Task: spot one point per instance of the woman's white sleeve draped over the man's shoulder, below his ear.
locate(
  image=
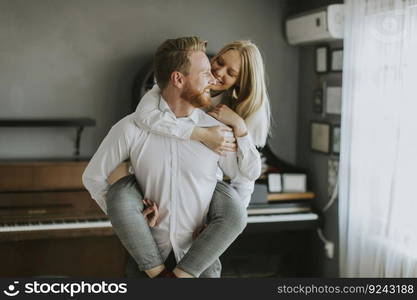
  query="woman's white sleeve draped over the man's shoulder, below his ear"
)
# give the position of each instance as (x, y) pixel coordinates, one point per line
(149, 116)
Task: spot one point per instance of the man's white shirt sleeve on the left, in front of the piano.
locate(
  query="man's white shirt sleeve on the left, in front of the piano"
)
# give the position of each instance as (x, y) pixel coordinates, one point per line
(113, 150)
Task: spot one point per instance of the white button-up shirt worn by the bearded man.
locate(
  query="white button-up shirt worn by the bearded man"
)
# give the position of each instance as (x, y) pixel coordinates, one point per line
(179, 175)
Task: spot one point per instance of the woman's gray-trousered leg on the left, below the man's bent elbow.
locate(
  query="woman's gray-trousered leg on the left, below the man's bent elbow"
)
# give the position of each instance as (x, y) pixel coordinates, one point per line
(124, 209)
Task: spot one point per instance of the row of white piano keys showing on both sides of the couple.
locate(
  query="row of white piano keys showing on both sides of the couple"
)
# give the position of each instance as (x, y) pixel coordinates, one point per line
(104, 223)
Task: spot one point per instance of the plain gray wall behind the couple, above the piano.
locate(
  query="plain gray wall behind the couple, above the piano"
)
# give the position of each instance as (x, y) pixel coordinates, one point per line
(78, 58)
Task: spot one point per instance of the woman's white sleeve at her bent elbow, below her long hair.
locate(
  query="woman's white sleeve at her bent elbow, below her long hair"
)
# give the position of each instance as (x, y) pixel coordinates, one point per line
(248, 157)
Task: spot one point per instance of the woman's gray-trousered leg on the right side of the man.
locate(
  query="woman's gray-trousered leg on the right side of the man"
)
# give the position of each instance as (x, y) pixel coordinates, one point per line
(227, 218)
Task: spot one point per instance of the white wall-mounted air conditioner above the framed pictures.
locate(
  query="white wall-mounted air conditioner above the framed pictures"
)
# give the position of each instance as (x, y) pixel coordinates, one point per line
(324, 24)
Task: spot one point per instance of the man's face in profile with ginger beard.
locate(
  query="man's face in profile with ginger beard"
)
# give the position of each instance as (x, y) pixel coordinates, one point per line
(199, 81)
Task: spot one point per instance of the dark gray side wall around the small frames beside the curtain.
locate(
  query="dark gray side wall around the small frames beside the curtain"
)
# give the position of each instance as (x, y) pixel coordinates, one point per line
(316, 163)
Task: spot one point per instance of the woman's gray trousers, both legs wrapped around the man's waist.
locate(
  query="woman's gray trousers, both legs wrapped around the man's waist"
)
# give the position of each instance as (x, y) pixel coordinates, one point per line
(227, 217)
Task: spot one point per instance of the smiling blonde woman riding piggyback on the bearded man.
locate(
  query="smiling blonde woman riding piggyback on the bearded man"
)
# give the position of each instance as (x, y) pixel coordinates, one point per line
(240, 101)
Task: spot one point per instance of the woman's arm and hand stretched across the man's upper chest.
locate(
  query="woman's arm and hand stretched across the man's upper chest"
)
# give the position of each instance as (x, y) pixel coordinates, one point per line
(149, 116)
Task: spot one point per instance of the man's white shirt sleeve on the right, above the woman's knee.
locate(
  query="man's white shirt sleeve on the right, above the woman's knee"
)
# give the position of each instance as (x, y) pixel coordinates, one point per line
(243, 185)
